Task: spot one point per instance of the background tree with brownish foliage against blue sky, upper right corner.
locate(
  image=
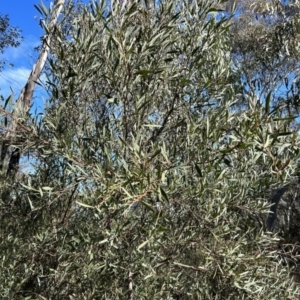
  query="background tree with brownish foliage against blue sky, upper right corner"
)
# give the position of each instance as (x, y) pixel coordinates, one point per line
(265, 48)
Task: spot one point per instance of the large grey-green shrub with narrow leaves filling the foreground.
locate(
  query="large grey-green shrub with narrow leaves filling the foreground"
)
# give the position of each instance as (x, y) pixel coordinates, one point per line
(148, 182)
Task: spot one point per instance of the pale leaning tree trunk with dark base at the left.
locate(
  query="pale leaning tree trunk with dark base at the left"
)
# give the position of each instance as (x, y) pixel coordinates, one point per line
(24, 102)
